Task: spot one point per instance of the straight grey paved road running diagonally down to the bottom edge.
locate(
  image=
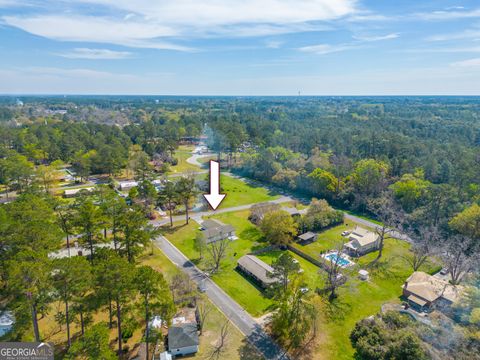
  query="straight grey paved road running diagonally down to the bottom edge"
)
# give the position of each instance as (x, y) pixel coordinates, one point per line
(247, 325)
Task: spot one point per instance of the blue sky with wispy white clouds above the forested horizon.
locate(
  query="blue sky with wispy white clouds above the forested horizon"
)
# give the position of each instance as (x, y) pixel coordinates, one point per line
(240, 47)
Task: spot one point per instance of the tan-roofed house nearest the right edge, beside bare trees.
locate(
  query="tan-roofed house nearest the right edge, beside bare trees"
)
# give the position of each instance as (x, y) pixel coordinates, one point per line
(425, 292)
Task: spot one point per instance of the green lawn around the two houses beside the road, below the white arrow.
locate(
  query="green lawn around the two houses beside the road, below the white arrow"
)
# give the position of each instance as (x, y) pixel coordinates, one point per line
(234, 283)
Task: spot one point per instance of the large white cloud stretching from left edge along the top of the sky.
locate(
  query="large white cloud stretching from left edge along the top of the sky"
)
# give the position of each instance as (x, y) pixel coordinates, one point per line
(159, 24)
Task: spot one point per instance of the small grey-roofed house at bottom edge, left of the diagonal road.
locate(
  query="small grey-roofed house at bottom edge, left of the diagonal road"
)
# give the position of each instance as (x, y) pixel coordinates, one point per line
(183, 339)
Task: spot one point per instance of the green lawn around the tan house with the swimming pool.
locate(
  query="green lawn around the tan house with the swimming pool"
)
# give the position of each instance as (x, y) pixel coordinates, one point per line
(358, 299)
